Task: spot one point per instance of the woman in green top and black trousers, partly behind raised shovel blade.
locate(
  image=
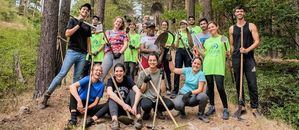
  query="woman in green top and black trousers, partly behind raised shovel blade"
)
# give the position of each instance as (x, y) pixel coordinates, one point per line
(167, 53)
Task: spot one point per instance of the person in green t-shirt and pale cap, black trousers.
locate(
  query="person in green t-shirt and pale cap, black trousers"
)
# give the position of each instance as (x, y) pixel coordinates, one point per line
(183, 55)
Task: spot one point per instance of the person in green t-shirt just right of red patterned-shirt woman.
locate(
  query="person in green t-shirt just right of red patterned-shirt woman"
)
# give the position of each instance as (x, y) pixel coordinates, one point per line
(131, 53)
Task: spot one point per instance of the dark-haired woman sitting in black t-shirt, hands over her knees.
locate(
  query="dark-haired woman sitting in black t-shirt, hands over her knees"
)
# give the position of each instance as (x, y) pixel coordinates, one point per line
(130, 94)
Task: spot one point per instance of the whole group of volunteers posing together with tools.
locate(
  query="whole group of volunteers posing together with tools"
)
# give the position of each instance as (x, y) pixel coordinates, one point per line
(202, 50)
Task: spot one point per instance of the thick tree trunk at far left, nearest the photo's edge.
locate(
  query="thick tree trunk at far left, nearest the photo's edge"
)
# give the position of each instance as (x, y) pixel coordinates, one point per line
(47, 47)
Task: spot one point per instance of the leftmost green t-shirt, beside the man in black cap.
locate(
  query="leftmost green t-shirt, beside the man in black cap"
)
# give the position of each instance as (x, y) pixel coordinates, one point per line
(96, 42)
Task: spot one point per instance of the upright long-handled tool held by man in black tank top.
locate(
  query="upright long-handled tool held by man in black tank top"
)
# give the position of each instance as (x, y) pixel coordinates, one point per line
(239, 110)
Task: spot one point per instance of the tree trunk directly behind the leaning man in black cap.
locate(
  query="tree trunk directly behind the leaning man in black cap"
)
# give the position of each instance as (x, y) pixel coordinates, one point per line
(64, 14)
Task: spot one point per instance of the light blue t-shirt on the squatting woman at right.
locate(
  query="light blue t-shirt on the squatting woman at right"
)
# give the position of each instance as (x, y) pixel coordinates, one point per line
(191, 80)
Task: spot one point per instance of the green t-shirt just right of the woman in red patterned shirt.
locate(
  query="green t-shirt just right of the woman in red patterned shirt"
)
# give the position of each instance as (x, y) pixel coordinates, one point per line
(131, 54)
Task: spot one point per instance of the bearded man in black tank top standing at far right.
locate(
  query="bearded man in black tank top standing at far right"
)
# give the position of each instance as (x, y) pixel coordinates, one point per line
(251, 41)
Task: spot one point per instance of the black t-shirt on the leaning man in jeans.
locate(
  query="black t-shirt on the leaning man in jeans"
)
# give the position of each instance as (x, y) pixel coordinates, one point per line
(78, 41)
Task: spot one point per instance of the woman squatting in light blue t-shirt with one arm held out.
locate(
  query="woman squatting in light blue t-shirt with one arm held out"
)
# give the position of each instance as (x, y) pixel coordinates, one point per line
(191, 94)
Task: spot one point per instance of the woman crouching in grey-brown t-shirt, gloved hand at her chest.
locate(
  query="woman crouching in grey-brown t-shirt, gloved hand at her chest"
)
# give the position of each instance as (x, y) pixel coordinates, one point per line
(149, 97)
